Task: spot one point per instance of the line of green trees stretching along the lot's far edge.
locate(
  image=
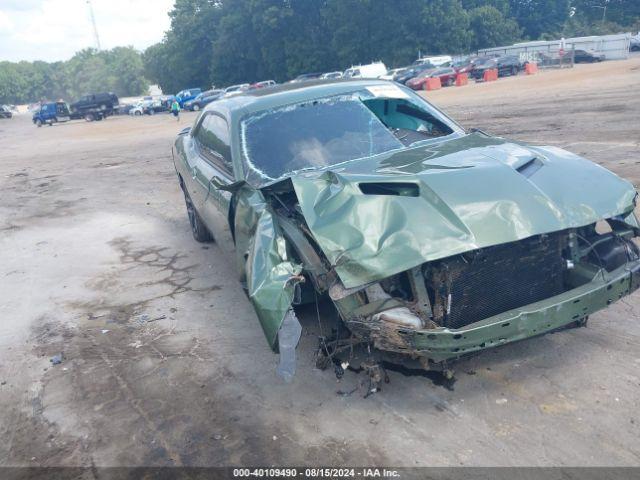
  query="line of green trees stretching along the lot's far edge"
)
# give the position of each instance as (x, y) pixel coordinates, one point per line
(221, 42)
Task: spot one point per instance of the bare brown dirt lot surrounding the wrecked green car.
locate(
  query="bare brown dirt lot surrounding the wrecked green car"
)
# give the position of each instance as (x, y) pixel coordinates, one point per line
(164, 360)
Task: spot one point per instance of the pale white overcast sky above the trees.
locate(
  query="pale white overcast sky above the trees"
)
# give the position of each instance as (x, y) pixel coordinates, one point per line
(52, 30)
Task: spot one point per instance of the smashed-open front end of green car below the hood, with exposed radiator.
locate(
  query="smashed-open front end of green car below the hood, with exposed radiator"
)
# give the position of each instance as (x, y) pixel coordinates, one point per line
(491, 296)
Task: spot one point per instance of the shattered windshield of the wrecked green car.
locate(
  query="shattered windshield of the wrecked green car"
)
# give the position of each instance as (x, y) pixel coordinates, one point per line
(333, 130)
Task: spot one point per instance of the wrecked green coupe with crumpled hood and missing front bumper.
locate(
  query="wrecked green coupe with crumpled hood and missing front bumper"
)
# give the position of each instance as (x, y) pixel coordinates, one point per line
(430, 241)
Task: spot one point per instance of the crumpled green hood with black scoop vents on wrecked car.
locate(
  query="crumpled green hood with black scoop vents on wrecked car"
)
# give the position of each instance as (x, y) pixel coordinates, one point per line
(474, 191)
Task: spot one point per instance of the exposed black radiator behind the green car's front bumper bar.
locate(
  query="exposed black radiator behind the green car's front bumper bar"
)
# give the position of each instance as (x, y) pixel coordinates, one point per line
(476, 285)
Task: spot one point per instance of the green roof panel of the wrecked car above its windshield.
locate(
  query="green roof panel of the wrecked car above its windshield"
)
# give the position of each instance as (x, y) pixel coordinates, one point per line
(285, 94)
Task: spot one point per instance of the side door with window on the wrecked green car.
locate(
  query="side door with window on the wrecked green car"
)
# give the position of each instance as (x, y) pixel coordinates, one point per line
(212, 170)
